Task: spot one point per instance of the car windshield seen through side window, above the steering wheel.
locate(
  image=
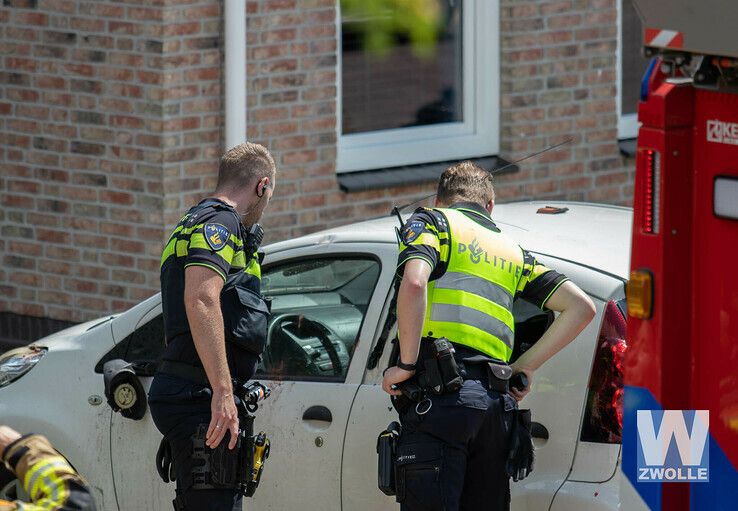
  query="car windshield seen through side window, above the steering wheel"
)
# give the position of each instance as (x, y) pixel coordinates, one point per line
(320, 275)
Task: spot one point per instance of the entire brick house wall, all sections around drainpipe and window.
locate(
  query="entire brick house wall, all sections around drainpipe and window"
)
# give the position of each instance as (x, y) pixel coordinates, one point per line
(111, 125)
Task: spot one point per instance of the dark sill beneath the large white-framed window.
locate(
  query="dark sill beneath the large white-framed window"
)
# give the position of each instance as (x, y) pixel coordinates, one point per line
(405, 175)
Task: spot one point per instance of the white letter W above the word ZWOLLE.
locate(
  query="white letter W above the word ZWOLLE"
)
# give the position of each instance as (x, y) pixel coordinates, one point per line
(655, 446)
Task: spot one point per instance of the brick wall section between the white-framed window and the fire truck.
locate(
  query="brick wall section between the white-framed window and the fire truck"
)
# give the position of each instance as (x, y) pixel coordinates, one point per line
(558, 81)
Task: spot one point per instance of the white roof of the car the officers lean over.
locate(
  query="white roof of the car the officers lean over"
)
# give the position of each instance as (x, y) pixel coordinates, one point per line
(595, 235)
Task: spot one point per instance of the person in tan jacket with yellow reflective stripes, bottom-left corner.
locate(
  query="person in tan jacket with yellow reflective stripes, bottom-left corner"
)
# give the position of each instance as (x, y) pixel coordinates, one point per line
(46, 475)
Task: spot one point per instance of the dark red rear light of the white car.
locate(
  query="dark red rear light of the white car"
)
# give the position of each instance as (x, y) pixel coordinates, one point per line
(603, 416)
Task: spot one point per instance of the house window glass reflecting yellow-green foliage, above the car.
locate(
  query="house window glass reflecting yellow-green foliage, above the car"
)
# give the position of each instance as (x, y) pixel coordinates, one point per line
(401, 63)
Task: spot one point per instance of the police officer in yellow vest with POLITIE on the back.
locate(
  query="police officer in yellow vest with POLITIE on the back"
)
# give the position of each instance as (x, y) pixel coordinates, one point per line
(460, 275)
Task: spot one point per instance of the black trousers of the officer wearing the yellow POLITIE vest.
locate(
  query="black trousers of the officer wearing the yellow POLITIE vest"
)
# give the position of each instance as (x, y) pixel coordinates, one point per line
(453, 457)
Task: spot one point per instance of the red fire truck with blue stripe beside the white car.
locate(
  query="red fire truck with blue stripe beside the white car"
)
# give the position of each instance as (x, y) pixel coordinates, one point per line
(683, 291)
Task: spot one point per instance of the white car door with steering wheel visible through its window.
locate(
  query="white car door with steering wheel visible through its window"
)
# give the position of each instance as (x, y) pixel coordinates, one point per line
(326, 302)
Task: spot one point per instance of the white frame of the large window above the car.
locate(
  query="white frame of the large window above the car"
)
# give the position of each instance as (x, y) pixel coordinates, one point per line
(477, 135)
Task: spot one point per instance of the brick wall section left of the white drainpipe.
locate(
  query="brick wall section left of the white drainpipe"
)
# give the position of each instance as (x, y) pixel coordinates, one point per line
(102, 102)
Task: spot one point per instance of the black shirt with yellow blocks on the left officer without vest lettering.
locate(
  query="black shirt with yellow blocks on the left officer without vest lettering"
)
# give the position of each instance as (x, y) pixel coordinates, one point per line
(210, 238)
